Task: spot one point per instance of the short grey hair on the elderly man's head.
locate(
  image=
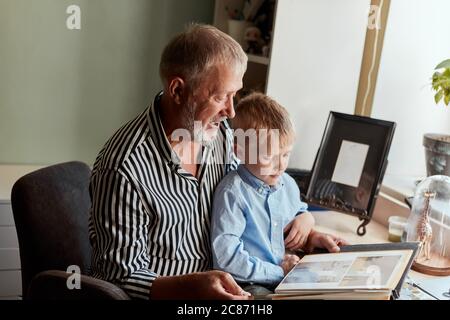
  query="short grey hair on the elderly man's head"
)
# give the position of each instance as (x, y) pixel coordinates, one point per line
(192, 54)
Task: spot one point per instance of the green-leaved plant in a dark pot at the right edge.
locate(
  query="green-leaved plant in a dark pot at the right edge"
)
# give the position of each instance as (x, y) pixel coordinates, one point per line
(437, 146)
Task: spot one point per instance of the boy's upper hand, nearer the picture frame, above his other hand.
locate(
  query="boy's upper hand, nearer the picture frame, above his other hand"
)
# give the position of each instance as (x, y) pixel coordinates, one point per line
(298, 231)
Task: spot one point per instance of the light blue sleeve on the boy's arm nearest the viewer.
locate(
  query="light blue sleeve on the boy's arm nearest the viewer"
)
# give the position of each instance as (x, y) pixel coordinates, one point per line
(229, 254)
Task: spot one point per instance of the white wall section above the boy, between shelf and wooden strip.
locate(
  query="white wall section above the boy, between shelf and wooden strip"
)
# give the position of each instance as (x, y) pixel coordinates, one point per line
(315, 65)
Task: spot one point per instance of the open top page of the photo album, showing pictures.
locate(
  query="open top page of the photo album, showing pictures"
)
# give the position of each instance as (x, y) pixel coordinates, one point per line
(347, 271)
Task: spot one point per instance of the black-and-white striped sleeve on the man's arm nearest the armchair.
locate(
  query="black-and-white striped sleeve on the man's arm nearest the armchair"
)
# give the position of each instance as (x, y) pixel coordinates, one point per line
(119, 234)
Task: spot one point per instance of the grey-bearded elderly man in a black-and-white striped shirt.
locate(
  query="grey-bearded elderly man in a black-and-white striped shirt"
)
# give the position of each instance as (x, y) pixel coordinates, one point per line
(152, 186)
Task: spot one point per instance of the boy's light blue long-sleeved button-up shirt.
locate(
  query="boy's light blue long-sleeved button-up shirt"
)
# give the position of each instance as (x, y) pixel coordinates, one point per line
(247, 225)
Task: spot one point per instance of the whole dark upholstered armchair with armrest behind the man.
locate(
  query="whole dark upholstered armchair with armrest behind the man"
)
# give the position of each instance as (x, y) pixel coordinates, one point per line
(51, 211)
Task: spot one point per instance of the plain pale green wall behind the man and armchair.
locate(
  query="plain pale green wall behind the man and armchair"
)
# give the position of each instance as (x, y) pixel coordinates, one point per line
(64, 92)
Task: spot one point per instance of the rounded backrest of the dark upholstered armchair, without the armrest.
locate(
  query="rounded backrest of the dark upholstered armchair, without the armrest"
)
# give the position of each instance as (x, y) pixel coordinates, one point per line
(51, 211)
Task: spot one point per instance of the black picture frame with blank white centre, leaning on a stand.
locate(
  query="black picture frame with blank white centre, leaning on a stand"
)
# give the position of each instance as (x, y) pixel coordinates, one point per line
(374, 137)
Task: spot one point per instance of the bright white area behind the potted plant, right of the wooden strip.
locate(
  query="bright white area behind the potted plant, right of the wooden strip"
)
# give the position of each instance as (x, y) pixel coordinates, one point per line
(417, 39)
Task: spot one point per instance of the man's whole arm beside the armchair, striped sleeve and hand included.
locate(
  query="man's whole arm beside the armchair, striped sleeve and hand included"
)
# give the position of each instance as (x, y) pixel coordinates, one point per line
(121, 223)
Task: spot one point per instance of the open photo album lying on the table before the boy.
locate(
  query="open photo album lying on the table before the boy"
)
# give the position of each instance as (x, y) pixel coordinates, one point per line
(357, 272)
